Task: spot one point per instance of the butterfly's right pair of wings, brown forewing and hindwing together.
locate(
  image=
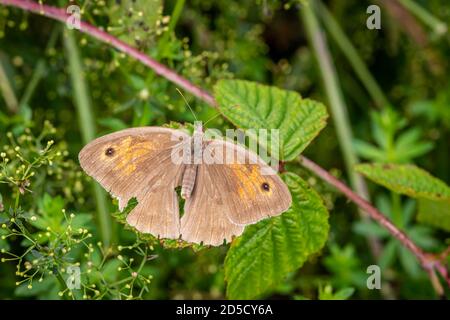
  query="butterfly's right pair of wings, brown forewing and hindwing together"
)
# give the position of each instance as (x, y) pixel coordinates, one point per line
(230, 194)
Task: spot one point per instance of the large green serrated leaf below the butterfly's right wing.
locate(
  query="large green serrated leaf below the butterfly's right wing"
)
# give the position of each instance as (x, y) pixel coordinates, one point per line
(272, 248)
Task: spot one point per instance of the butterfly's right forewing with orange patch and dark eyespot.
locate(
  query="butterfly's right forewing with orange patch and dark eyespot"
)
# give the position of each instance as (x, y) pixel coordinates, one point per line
(252, 189)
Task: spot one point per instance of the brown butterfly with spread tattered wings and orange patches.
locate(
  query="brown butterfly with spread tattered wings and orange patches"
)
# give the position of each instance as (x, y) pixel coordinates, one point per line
(221, 198)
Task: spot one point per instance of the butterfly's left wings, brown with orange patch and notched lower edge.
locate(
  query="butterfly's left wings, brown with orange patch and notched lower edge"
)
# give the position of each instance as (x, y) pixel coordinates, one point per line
(137, 163)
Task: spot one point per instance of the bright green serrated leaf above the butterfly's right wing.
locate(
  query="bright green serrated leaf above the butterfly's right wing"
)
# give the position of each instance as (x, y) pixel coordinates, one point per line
(250, 105)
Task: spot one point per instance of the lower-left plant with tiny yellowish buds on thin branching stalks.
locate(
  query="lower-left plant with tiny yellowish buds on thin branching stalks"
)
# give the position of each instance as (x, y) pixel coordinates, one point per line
(52, 241)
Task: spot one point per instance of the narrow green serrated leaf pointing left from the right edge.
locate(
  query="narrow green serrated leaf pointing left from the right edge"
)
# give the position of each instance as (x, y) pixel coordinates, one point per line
(406, 179)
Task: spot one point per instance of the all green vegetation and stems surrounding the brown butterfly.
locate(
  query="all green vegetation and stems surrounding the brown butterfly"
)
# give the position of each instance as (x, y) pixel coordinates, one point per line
(371, 107)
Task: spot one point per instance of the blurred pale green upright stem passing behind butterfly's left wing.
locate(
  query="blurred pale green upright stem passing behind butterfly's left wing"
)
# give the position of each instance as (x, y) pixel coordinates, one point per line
(87, 124)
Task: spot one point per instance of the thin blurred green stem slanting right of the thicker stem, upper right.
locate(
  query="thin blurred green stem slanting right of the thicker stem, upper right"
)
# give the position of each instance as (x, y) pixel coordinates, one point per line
(352, 56)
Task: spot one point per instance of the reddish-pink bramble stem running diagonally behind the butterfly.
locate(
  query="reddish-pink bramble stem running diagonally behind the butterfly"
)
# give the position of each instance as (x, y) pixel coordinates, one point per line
(431, 263)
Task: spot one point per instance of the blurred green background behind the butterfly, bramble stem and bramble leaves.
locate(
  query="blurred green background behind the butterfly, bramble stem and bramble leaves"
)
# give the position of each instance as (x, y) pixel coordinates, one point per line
(62, 86)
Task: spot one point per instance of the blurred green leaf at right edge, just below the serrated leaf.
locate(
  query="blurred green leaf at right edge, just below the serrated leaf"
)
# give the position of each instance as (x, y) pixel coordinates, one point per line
(435, 213)
